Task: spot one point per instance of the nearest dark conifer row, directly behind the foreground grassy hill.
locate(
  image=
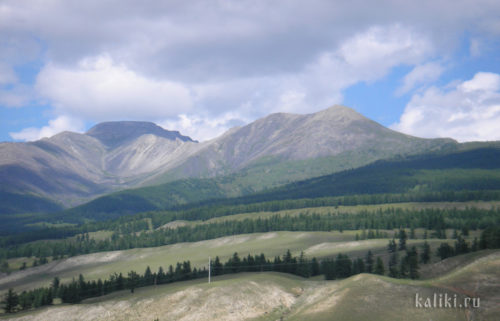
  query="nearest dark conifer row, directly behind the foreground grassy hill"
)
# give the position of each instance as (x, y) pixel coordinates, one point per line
(338, 267)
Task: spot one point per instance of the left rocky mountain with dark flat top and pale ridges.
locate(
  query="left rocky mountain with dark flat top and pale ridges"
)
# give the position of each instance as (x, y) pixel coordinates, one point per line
(72, 167)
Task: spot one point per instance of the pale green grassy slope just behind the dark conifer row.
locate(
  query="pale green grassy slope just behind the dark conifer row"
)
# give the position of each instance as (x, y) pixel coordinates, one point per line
(101, 265)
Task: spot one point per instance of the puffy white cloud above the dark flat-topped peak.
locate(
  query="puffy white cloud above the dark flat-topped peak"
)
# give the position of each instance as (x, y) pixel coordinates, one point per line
(98, 89)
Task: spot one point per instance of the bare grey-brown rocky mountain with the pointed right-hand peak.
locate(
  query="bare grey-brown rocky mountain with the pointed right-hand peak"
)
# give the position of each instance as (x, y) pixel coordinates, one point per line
(283, 137)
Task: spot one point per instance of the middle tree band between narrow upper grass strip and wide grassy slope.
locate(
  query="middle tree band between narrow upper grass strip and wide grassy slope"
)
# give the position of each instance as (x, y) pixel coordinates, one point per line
(388, 219)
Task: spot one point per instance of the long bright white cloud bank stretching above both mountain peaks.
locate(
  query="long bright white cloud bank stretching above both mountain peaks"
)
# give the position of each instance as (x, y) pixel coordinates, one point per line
(100, 89)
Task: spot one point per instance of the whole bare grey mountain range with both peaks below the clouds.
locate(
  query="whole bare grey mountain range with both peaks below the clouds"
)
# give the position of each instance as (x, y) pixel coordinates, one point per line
(71, 168)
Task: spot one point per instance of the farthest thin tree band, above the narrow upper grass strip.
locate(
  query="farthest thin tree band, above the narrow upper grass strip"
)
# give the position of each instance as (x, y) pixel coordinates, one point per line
(223, 207)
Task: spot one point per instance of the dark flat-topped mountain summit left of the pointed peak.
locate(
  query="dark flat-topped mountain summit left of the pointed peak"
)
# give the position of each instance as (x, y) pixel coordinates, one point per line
(115, 133)
